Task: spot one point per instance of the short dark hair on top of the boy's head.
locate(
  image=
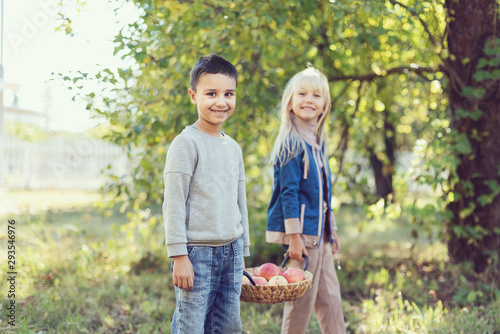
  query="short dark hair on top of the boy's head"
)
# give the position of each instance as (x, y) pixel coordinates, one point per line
(212, 64)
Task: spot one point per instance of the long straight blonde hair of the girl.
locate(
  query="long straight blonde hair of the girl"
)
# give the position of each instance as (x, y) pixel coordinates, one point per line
(289, 143)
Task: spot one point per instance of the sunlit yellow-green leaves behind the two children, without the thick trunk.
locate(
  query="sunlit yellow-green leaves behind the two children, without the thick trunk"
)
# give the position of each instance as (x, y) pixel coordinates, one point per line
(367, 52)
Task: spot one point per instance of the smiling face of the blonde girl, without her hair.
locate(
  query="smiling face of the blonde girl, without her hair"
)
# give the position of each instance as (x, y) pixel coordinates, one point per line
(307, 104)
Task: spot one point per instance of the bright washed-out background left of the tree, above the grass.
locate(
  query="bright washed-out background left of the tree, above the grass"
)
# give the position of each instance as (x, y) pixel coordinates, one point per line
(48, 138)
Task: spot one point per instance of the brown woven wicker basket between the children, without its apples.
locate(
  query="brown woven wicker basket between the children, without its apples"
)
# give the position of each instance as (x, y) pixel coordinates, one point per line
(272, 294)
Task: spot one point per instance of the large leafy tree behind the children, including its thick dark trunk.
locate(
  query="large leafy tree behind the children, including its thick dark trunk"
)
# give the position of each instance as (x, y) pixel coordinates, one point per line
(387, 61)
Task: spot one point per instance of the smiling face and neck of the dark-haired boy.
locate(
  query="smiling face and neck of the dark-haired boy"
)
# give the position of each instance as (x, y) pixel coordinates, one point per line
(215, 97)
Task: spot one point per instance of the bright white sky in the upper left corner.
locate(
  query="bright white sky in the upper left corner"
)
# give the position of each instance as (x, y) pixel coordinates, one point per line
(33, 50)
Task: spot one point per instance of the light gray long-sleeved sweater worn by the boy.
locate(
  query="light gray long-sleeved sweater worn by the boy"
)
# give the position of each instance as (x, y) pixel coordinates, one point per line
(204, 200)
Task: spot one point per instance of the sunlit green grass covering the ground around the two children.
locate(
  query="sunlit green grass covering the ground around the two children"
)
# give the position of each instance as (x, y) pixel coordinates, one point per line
(83, 272)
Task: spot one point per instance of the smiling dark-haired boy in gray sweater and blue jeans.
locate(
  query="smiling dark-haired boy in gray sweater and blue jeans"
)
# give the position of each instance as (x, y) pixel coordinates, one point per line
(204, 208)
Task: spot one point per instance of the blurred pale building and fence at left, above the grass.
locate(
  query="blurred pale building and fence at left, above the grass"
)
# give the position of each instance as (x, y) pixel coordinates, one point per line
(57, 161)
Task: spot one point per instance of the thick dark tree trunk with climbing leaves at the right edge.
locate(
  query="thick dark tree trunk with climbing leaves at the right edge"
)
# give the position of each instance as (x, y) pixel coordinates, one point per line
(471, 231)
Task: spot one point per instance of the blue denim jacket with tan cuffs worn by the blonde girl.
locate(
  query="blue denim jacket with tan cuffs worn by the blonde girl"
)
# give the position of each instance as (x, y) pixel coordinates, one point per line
(298, 204)
